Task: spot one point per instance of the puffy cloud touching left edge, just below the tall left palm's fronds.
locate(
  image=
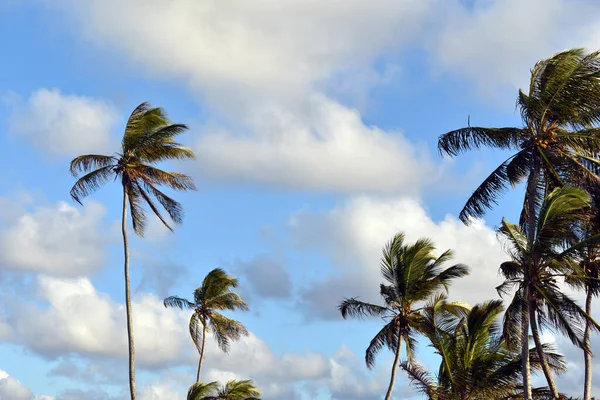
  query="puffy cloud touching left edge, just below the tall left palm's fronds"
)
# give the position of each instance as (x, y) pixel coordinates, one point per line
(56, 239)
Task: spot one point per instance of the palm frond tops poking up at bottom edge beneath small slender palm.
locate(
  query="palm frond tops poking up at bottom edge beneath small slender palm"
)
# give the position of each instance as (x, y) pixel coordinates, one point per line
(233, 390)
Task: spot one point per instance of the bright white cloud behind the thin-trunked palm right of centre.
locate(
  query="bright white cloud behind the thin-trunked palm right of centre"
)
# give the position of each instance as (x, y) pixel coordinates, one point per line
(353, 234)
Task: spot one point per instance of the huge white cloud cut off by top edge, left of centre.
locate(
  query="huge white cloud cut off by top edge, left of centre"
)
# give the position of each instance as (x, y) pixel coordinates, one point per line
(266, 45)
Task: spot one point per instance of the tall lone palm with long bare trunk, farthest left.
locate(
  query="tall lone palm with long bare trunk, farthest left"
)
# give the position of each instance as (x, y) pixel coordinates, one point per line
(147, 140)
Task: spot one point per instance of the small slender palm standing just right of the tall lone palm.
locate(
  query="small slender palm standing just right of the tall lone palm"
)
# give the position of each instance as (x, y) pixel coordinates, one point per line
(214, 295)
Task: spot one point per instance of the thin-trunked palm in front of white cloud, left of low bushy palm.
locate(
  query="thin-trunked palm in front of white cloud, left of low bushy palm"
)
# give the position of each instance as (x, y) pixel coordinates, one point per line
(412, 273)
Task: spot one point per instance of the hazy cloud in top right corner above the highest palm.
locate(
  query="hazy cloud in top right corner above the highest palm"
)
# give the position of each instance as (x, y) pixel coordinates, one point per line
(494, 43)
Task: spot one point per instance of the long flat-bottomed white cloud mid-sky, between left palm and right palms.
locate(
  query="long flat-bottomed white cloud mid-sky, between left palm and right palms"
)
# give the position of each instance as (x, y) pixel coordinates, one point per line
(329, 147)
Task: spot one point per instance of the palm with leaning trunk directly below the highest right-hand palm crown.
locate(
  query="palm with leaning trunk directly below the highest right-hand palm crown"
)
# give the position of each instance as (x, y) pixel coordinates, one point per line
(537, 267)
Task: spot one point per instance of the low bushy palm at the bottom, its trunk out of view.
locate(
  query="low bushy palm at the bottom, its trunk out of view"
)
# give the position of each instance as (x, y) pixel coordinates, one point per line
(476, 362)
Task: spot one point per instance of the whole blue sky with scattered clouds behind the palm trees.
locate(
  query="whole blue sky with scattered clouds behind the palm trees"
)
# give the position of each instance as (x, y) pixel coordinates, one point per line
(315, 126)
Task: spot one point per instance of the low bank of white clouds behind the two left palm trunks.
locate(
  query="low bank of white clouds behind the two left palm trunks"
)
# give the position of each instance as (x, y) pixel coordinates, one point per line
(161, 341)
